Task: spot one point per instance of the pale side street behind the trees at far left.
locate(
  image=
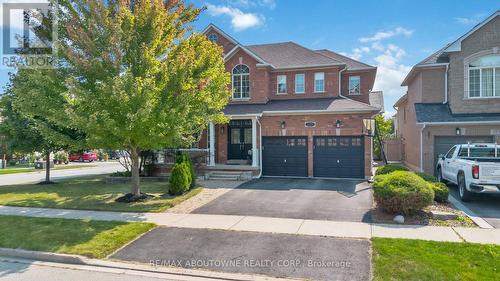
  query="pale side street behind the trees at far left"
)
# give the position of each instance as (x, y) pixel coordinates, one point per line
(34, 177)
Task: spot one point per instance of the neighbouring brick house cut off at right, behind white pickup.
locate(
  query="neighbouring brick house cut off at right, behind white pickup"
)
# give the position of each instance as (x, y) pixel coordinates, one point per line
(453, 97)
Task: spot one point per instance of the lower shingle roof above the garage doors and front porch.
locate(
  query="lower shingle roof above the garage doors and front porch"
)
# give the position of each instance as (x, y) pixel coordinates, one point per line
(316, 104)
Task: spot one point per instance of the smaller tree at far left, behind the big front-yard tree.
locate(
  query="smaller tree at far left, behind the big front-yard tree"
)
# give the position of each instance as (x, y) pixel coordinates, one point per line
(24, 125)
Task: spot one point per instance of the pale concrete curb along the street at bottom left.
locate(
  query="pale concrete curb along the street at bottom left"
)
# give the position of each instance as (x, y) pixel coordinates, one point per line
(138, 268)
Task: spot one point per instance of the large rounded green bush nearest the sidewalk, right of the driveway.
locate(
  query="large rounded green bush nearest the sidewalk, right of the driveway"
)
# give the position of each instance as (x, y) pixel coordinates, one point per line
(402, 192)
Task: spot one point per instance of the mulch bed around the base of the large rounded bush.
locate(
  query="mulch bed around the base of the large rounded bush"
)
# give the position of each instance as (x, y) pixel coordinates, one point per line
(425, 217)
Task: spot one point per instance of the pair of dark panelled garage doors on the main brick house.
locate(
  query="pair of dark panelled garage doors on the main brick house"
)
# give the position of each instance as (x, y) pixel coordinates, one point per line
(333, 156)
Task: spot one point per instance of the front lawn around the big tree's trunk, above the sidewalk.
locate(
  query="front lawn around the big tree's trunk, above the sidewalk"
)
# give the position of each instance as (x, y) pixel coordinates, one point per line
(89, 193)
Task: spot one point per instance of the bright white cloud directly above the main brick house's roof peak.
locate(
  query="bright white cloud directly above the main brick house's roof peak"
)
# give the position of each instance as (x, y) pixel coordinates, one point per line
(239, 20)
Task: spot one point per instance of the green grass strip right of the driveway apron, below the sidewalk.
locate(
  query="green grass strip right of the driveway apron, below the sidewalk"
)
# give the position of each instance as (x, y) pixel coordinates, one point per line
(400, 259)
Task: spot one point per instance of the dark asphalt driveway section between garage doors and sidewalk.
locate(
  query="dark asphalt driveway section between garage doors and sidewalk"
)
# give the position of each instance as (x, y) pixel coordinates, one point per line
(319, 199)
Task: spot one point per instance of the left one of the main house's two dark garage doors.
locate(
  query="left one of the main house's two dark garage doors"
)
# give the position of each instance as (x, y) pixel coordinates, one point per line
(284, 156)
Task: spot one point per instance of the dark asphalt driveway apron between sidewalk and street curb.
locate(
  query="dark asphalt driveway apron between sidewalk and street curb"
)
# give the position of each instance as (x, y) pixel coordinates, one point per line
(280, 255)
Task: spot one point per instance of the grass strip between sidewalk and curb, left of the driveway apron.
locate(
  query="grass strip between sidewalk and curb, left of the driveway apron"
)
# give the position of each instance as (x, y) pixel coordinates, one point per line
(95, 239)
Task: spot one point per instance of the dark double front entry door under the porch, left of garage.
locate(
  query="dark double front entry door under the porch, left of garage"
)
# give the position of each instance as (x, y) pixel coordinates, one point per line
(240, 139)
